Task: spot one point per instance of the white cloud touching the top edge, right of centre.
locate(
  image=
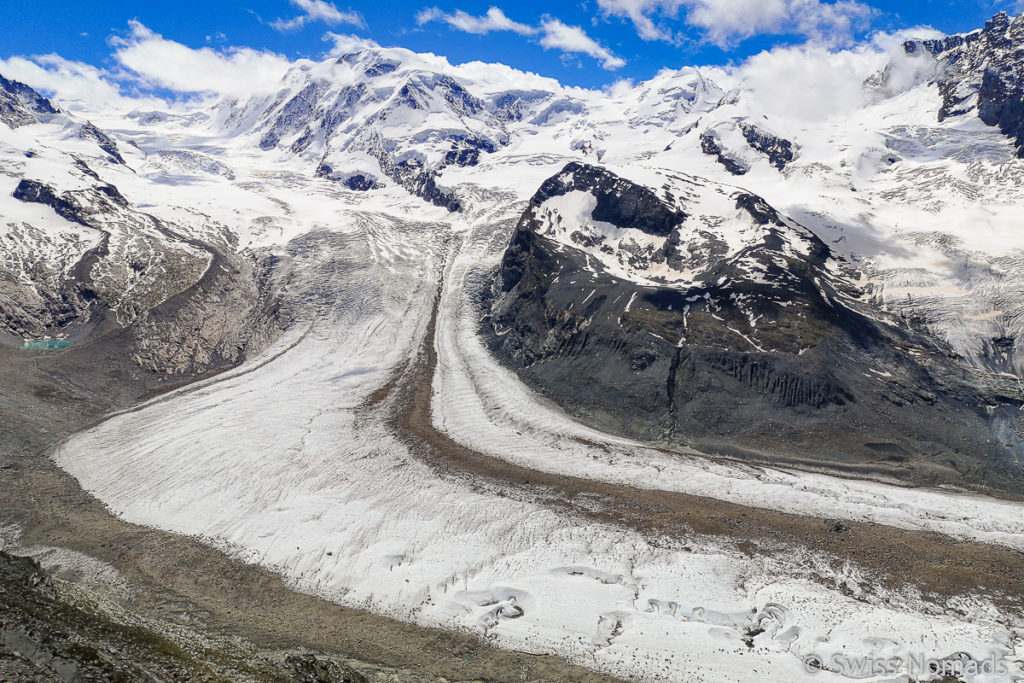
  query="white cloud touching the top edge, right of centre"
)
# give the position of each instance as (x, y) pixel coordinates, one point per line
(727, 23)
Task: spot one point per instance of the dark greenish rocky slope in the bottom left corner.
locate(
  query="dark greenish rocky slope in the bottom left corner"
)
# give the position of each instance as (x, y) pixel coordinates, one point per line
(53, 632)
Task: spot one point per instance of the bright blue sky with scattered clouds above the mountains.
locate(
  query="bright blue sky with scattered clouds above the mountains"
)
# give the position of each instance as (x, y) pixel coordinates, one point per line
(590, 44)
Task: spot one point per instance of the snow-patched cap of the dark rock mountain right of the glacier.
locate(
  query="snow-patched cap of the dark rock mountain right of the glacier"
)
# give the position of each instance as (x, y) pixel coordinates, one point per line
(660, 228)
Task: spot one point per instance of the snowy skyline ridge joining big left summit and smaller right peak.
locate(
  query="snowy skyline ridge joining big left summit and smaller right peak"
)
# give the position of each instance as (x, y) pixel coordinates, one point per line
(381, 116)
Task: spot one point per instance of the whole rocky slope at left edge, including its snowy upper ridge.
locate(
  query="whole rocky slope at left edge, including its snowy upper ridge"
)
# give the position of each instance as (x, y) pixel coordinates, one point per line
(104, 274)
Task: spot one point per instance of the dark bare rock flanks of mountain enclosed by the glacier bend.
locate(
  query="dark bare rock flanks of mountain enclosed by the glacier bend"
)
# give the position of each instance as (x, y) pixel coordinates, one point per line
(786, 365)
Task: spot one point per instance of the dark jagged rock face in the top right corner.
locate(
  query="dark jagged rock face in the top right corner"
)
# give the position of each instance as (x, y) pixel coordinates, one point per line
(980, 72)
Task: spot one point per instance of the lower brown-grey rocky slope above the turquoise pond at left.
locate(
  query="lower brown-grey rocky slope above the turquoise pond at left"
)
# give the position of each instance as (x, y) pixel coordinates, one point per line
(176, 306)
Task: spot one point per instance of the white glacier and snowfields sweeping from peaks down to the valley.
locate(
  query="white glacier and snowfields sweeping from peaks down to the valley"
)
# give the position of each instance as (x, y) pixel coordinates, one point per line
(385, 187)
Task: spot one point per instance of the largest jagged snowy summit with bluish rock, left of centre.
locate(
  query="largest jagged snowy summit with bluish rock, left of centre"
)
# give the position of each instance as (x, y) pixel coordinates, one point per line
(378, 116)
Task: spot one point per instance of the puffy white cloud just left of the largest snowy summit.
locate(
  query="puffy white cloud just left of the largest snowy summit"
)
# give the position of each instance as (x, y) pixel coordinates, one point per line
(159, 63)
